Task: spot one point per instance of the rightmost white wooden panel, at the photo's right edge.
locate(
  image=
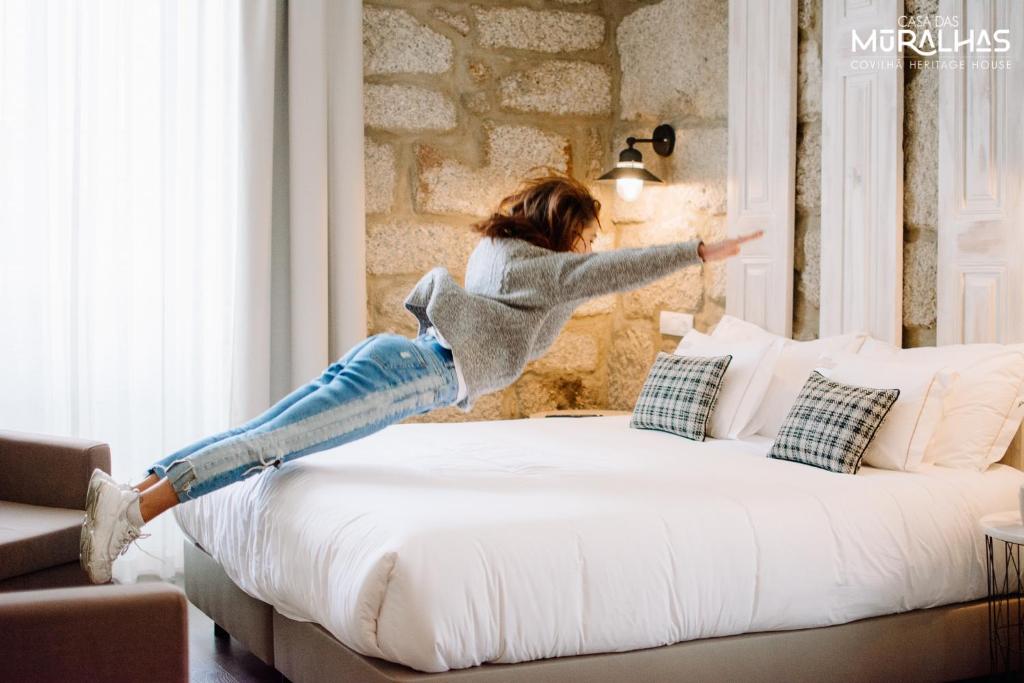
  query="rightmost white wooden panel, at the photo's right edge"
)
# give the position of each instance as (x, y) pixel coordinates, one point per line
(982, 166)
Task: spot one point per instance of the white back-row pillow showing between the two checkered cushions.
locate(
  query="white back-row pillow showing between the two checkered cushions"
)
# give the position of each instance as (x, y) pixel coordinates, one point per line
(794, 366)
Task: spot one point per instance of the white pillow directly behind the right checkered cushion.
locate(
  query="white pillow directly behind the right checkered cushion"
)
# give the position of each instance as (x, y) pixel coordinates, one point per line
(902, 440)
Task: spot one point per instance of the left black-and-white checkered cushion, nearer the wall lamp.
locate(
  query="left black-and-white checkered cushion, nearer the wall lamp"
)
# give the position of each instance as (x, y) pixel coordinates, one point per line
(679, 395)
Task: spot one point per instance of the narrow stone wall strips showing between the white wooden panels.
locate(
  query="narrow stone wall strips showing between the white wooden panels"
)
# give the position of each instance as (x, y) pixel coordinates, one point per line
(920, 184)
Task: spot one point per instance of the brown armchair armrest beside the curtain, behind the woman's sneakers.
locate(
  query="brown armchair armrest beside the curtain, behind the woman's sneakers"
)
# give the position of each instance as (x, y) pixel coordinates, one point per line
(40, 469)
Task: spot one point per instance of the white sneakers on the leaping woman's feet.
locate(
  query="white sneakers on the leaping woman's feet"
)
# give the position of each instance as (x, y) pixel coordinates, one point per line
(107, 530)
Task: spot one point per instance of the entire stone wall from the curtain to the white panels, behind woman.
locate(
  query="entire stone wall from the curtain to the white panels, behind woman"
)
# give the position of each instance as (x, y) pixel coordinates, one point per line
(463, 99)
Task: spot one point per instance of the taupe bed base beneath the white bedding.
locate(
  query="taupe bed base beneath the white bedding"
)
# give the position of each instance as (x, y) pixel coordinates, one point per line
(940, 645)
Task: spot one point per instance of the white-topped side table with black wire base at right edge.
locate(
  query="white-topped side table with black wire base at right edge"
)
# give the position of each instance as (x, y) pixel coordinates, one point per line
(1004, 538)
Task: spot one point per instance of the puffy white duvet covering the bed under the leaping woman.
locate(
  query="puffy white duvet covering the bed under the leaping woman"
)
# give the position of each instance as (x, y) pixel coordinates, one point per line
(444, 546)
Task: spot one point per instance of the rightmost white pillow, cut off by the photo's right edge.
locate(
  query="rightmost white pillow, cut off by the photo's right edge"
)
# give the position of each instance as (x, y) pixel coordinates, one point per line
(984, 407)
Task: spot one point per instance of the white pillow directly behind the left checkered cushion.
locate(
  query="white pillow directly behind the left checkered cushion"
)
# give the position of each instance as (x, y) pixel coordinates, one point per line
(745, 383)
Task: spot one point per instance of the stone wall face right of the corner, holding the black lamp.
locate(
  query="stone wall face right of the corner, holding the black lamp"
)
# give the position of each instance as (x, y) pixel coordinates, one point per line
(675, 67)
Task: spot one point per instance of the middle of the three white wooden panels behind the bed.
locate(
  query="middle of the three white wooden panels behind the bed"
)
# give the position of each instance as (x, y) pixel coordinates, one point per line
(862, 176)
